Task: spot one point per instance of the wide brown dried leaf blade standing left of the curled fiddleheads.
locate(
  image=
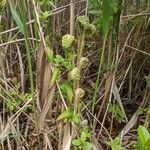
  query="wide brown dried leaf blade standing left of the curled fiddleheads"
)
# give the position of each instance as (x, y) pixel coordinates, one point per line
(43, 81)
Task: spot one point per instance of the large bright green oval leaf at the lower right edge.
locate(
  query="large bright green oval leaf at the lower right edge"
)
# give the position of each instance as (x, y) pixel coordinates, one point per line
(143, 133)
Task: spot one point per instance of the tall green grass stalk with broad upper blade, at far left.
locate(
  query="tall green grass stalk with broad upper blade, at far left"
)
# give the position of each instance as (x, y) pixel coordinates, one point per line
(20, 19)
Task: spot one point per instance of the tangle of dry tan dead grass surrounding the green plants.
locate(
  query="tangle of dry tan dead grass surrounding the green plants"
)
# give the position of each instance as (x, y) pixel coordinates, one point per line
(32, 123)
